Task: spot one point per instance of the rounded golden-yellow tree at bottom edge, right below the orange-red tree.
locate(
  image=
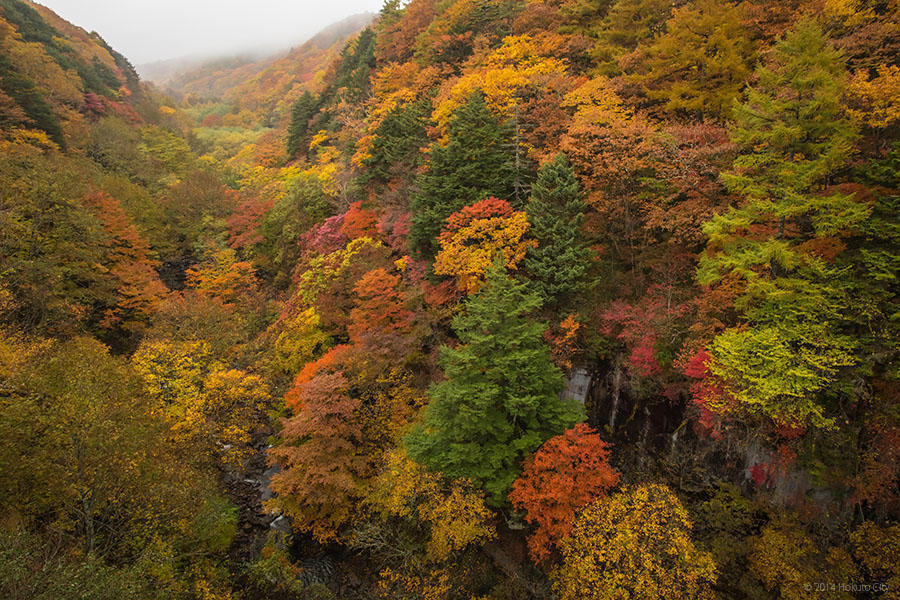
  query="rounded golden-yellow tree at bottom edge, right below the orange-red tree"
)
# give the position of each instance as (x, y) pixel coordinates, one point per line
(635, 544)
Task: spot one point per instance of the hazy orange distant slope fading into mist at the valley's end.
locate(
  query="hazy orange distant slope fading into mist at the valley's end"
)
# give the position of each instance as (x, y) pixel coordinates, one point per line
(266, 86)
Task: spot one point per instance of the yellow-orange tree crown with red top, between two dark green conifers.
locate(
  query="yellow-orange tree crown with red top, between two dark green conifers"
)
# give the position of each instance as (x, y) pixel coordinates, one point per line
(476, 236)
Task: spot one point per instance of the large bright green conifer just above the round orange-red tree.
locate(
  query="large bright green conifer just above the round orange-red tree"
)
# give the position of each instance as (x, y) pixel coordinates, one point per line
(500, 400)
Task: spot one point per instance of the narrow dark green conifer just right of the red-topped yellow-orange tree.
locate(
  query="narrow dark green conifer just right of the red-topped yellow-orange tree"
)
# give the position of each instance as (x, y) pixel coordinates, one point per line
(558, 266)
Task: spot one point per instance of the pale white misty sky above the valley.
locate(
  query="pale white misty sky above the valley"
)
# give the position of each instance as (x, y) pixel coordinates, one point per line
(150, 30)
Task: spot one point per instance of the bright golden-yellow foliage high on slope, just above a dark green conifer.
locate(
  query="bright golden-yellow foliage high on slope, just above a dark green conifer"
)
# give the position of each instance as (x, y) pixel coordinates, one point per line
(519, 63)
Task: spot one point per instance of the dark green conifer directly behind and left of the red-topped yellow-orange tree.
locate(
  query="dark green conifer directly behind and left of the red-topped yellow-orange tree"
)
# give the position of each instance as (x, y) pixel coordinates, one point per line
(476, 163)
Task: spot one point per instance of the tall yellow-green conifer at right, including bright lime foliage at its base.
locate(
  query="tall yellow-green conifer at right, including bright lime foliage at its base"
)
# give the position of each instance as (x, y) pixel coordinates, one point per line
(790, 349)
